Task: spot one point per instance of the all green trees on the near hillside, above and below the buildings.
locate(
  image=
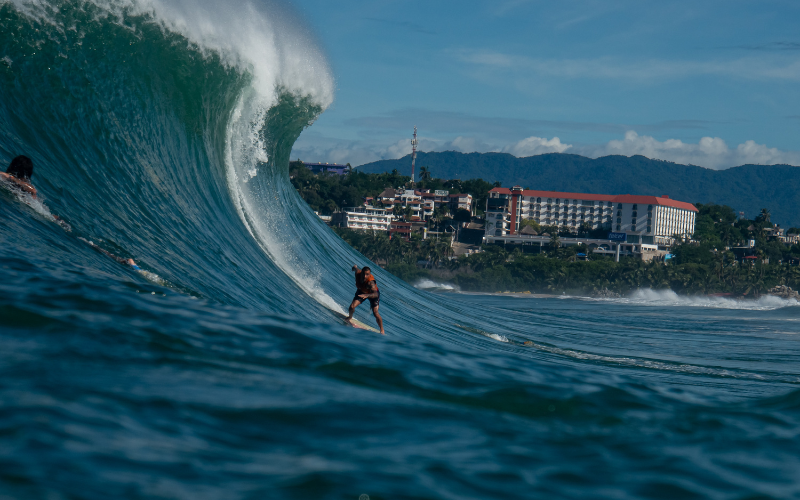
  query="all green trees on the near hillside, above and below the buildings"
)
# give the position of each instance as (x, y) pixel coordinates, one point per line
(702, 265)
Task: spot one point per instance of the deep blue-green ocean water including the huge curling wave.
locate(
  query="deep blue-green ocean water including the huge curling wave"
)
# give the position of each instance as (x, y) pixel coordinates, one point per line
(161, 131)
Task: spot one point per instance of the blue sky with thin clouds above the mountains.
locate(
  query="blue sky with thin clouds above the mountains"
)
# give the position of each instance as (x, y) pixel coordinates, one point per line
(711, 83)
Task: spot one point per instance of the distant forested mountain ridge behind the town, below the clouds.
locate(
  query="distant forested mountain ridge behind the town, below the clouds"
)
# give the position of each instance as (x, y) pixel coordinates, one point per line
(748, 188)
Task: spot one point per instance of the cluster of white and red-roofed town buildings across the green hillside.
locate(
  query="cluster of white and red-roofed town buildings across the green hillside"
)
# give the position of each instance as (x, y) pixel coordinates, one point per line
(644, 227)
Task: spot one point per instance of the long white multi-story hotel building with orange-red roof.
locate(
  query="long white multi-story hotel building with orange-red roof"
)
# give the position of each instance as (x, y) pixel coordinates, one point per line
(648, 220)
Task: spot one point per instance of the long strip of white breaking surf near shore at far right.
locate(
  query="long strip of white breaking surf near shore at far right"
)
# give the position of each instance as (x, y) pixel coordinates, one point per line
(669, 298)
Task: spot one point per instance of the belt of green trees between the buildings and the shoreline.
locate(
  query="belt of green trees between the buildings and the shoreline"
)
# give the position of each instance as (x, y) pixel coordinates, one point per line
(699, 267)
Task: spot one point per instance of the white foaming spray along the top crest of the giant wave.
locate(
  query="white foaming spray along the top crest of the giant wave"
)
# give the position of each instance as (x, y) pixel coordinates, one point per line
(266, 40)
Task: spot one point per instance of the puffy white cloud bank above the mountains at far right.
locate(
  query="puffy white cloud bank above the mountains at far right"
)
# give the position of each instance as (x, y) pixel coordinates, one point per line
(710, 152)
